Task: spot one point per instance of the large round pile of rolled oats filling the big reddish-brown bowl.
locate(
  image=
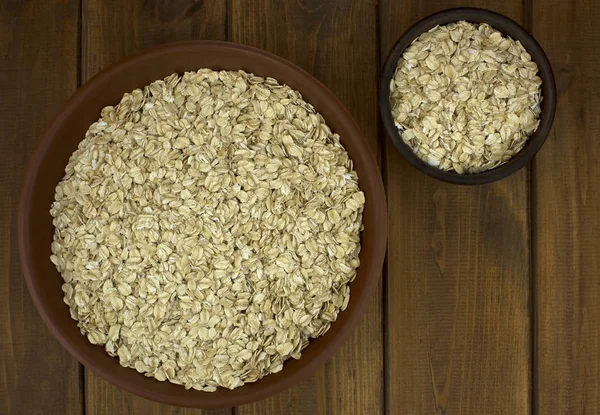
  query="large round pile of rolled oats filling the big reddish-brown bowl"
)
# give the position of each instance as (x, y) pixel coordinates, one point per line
(207, 228)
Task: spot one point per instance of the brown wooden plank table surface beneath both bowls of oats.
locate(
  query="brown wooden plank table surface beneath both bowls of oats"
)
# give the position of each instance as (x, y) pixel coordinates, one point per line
(489, 301)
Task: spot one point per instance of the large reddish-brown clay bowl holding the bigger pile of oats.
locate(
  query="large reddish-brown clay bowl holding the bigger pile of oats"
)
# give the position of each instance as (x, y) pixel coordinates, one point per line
(61, 139)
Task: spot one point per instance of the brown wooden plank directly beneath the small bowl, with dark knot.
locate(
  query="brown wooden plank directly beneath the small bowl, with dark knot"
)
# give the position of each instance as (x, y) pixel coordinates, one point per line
(458, 325)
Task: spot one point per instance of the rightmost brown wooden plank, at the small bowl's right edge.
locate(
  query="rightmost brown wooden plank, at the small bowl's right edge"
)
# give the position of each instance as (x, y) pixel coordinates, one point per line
(566, 200)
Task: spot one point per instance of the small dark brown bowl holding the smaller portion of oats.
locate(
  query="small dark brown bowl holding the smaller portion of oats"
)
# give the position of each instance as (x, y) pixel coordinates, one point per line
(506, 26)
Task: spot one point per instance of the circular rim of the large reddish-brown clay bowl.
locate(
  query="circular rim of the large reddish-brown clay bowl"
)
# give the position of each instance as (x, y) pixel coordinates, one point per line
(202, 399)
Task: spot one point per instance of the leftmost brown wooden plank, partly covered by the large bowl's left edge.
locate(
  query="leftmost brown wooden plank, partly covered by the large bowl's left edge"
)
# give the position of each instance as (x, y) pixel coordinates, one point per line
(38, 63)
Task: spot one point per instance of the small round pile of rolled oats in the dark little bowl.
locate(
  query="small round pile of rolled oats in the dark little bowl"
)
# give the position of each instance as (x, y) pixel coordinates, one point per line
(465, 97)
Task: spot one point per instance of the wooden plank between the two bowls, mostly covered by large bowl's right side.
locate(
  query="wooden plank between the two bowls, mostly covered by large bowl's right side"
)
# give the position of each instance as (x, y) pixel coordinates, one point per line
(336, 42)
